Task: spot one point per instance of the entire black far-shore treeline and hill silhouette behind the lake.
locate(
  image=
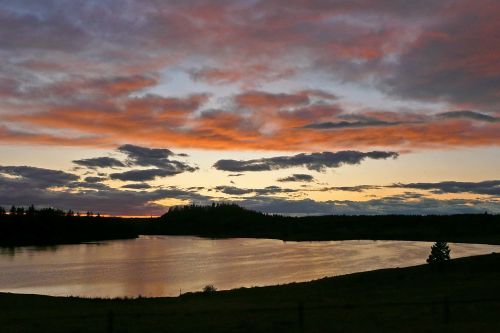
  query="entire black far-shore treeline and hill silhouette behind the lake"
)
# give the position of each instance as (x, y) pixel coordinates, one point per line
(48, 227)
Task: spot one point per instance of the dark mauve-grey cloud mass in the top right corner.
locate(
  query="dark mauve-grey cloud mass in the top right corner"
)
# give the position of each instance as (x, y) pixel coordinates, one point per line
(429, 69)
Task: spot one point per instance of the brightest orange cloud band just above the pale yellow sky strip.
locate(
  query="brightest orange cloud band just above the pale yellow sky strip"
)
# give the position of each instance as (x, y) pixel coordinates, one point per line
(149, 121)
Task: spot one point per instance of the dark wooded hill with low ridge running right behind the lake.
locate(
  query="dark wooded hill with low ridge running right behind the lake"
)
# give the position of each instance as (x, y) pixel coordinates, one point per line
(230, 220)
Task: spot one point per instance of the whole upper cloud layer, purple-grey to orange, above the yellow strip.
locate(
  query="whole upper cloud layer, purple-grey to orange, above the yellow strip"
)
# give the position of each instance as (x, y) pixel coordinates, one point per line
(87, 86)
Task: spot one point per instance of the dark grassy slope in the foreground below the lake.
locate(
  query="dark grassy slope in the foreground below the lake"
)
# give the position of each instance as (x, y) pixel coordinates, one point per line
(402, 300)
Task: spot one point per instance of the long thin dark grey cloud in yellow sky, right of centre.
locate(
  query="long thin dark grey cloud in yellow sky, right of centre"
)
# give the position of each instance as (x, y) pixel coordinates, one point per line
(313, 161)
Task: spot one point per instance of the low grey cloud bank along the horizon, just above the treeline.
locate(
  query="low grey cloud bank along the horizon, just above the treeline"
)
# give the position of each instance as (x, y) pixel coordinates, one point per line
(101, 198)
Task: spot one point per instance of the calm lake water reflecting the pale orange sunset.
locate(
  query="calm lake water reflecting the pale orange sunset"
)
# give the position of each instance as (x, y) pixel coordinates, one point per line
(166, 265)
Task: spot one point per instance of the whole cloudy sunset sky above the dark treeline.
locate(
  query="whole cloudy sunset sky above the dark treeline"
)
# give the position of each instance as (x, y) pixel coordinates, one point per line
(295, 107)
